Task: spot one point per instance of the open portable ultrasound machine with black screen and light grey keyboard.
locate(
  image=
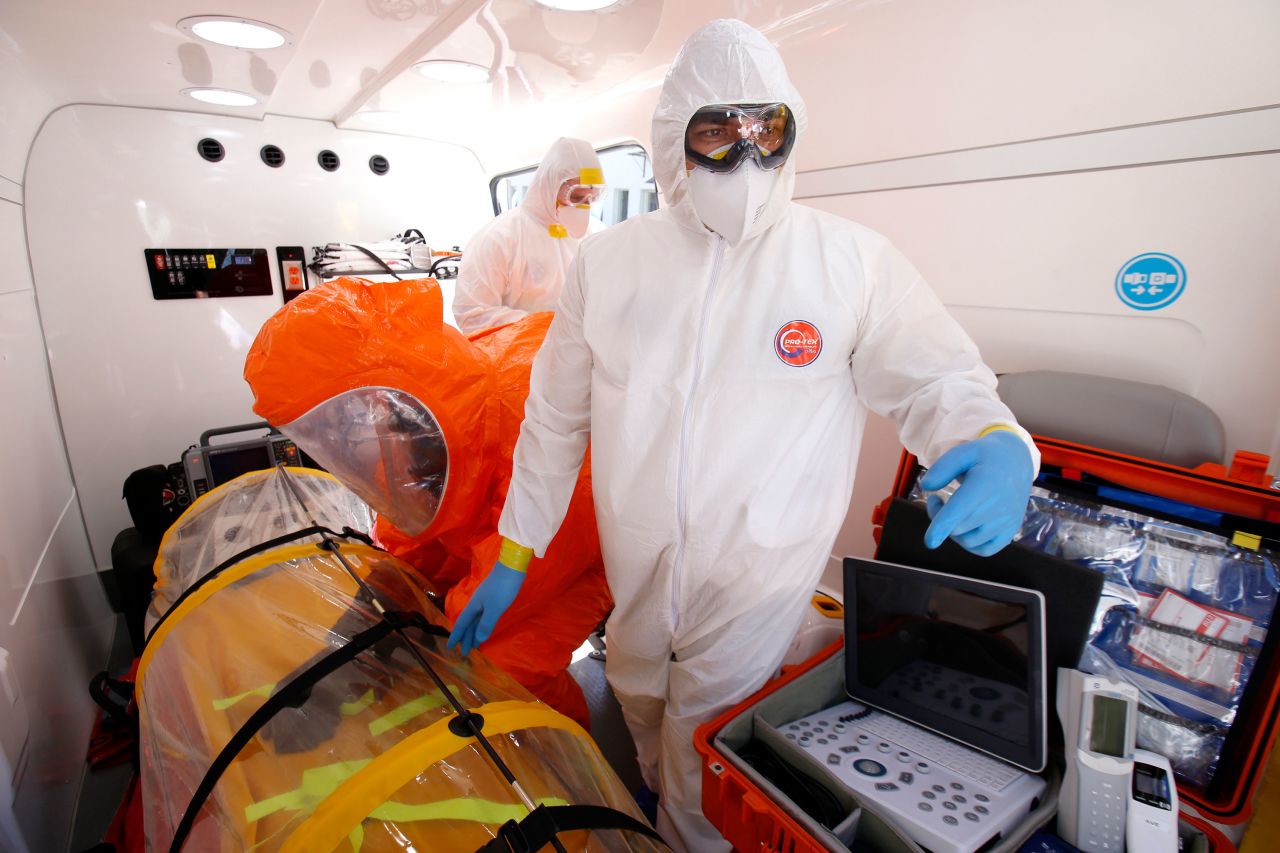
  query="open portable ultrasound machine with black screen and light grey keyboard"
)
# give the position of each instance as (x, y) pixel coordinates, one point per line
(947, 728)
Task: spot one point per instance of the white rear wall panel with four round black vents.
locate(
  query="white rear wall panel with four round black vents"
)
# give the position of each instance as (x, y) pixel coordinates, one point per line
(139, 380)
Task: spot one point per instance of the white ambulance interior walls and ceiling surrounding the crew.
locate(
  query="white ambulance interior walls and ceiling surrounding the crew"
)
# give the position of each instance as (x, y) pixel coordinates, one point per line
(1023, 156)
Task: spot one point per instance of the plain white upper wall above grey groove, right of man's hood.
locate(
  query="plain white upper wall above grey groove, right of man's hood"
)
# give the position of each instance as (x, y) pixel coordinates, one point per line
(911, 77)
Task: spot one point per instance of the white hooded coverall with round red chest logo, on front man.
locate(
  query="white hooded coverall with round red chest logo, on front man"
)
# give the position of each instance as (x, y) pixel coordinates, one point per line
(723, 473)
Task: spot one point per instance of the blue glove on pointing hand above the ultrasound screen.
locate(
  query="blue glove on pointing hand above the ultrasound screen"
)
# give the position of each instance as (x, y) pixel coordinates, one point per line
(996, 476)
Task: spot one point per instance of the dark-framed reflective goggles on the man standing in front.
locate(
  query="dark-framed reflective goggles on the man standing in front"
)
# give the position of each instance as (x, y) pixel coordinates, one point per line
(723, 136)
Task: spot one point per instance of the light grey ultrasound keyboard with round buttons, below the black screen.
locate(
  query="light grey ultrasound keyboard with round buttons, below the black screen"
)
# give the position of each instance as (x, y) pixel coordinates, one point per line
(948, 797)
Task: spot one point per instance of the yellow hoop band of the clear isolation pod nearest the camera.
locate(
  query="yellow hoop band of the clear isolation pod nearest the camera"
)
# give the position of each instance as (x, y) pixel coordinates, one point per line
(362, 795)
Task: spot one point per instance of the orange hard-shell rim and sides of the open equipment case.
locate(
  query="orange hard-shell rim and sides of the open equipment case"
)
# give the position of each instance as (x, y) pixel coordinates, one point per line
(752, 822)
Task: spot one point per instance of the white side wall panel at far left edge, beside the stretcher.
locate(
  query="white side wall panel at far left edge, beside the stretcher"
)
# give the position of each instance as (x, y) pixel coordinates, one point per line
(54, 621)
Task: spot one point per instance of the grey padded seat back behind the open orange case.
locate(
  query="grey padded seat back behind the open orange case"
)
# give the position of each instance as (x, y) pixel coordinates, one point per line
(1132, 418)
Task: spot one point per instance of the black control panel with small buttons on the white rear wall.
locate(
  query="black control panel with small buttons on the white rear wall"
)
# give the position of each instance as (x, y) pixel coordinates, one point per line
(208, 273)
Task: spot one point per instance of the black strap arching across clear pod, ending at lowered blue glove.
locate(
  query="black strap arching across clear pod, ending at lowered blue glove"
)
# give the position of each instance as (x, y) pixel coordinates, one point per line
(292, 696)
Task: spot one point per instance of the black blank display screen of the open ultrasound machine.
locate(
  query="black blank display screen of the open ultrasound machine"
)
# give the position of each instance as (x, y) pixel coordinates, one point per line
(958, 656)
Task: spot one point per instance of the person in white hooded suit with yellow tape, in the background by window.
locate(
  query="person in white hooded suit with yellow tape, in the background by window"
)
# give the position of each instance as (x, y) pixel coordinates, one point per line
(516, 263)
